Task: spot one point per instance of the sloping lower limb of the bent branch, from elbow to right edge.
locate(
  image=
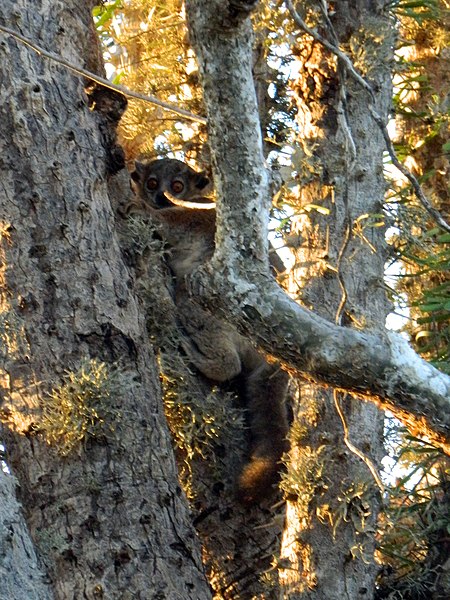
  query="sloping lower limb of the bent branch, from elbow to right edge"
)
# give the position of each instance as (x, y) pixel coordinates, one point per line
(377, 366)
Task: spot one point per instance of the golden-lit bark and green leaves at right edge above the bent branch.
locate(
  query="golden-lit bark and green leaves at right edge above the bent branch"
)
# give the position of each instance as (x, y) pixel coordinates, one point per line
(423, 121)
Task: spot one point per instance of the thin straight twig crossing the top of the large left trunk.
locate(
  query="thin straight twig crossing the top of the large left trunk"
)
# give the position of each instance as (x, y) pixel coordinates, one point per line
(112, 86)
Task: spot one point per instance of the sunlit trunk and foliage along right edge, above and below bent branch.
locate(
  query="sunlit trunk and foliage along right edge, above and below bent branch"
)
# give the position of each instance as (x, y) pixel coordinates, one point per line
(414, 526)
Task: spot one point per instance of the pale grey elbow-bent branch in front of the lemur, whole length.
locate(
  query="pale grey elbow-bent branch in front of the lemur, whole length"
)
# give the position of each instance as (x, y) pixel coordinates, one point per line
(370, 364)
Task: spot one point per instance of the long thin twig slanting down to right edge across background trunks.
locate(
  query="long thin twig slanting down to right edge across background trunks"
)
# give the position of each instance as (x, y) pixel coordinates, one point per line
(435, 214)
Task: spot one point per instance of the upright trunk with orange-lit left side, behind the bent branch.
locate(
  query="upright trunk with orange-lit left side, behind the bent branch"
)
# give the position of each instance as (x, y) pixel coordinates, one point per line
(333, 556)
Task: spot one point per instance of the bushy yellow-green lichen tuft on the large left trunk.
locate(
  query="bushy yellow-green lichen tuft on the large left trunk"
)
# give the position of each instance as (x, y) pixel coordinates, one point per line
(83, 406)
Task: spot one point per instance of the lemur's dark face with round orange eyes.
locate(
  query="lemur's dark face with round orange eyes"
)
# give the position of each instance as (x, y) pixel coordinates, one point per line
(161, 182)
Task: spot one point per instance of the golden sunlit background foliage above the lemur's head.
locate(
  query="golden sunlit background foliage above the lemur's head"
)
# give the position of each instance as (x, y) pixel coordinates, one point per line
(147, 45)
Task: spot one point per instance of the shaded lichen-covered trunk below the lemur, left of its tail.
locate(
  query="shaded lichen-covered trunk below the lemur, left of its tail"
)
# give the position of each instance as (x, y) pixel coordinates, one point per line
(208, 426)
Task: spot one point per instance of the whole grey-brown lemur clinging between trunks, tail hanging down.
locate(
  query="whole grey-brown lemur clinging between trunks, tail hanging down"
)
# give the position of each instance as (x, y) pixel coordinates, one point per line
(217, 350)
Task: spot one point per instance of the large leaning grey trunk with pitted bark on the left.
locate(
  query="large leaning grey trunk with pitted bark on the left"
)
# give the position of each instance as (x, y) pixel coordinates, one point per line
(109, 518)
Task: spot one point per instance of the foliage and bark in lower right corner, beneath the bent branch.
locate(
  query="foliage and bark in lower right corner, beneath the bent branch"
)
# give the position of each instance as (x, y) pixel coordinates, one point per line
(416, 525)
